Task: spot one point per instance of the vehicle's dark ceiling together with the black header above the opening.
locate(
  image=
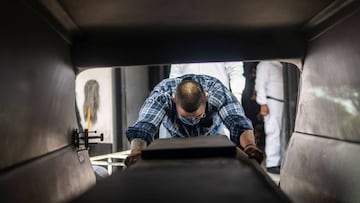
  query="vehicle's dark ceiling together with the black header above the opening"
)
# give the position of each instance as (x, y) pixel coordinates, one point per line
(118, 29)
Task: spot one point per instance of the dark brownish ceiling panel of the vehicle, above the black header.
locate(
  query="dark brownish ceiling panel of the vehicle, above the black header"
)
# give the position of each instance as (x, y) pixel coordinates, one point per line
(94, 14)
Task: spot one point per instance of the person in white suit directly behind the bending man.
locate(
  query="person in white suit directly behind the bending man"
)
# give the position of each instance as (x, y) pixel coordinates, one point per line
(229, 73)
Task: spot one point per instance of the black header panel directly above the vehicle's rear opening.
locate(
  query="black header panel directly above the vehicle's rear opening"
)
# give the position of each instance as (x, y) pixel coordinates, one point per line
(168, 46)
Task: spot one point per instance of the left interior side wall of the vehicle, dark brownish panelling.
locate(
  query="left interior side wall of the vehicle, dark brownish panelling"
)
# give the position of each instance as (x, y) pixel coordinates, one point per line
(38, 163)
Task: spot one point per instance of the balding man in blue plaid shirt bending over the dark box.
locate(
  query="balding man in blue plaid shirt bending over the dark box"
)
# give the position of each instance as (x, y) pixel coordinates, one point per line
(192, 105)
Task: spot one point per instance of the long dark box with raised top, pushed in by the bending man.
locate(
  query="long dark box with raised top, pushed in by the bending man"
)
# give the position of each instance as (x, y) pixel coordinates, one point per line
(206, 179)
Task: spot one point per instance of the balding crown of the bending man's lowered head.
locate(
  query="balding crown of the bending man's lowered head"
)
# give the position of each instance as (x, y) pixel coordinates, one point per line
(189, 95)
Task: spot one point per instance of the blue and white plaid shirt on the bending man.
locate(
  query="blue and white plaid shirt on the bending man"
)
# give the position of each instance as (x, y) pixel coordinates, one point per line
(222, 106)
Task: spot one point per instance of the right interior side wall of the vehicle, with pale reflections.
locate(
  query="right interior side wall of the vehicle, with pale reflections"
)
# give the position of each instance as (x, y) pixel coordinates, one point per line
(322, 161)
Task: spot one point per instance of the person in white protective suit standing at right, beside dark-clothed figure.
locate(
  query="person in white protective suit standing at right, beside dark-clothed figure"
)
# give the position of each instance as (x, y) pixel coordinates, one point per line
(270, 96)
